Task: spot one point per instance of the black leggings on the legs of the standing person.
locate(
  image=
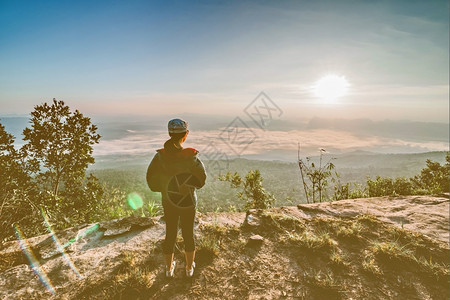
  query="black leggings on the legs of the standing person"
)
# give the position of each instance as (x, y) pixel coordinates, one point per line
(186, 217)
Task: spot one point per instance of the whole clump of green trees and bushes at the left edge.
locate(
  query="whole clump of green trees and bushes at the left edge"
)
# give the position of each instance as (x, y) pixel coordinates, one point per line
(49, 172)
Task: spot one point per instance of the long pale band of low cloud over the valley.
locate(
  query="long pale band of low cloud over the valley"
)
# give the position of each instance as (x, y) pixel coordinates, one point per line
(334, 141)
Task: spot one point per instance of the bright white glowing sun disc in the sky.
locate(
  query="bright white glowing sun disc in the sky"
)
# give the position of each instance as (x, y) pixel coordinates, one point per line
(330, 88)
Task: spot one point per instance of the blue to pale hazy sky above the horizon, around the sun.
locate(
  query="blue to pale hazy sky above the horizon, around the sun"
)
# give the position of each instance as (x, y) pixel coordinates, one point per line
(215, 57)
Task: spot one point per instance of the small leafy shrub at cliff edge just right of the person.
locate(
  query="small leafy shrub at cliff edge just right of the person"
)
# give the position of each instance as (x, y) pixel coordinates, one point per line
(253, 193)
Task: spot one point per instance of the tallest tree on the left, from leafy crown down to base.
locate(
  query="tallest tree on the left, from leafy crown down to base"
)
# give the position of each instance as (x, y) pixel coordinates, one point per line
(58, 151)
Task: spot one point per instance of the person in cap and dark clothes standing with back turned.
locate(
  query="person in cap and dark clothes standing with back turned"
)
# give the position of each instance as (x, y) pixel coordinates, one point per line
(177, 172)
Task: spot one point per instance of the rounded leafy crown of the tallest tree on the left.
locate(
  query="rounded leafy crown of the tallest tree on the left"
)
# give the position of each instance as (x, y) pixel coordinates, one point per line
(59, 144)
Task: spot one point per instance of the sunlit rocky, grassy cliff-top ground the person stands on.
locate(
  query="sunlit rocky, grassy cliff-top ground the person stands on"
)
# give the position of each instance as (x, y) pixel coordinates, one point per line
(375, 248)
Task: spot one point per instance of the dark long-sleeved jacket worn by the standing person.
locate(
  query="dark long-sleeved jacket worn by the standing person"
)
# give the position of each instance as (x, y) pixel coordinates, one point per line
(165, 165)
